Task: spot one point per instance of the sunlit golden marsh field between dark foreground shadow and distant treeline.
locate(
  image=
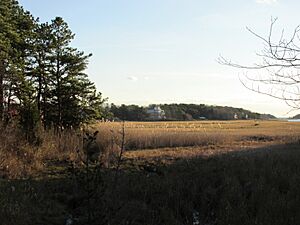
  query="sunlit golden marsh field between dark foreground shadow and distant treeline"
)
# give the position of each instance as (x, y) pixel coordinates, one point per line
(166, 141)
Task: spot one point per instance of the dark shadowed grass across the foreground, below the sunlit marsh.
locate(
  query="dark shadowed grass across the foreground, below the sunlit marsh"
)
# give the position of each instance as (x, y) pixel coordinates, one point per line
(249, 187)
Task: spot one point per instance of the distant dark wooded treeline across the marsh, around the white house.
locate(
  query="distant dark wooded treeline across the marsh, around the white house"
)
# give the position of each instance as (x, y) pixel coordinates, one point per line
(185, 112)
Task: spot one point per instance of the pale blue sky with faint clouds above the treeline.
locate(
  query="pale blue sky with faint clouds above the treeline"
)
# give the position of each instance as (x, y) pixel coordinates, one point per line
(166, 51)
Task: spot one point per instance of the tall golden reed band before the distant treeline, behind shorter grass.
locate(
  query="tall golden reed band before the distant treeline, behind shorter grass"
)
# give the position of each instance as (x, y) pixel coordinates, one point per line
(154, 135)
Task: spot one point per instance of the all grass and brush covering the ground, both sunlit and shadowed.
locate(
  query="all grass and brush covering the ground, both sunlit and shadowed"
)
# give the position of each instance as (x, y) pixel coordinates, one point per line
(234, 172)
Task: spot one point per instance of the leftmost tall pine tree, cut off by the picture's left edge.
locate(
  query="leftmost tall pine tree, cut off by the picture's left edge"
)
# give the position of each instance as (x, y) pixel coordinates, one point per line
(16, 26)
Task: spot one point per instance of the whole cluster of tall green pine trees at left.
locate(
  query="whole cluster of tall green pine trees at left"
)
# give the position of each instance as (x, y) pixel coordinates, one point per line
(42, 77)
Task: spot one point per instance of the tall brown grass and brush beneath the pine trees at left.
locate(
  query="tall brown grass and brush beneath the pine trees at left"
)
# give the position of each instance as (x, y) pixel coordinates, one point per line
(19, 158)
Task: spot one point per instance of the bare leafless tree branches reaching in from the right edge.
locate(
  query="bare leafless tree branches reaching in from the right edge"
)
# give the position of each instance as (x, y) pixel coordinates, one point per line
(277, 74)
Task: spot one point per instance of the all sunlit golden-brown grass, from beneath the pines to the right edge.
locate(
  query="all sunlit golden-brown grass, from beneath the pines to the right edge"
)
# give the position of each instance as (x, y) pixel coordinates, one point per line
(144, 142)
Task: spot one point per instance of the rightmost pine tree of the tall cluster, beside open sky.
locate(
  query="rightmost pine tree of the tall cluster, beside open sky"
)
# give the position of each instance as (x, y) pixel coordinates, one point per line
(73, 96)
